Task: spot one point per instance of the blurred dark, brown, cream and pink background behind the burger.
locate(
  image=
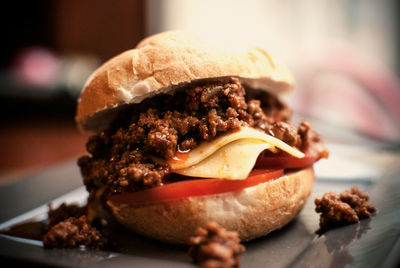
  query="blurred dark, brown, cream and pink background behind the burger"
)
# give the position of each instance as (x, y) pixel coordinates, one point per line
(344, 55)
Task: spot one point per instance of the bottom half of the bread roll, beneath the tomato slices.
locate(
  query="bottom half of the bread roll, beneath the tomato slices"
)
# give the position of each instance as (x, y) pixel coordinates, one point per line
(252, 212)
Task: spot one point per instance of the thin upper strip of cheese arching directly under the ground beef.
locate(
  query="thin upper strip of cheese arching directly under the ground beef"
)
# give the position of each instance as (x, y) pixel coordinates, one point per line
(206, 149)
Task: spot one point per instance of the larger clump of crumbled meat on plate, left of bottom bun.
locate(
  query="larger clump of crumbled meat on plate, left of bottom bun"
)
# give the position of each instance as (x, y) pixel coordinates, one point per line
(73, 232)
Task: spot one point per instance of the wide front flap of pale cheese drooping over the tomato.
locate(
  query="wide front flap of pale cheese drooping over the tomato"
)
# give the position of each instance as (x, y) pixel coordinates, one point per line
(233, 161)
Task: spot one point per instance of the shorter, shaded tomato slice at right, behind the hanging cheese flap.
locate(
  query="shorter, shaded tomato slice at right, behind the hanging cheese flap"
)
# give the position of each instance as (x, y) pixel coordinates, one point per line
(279, 162)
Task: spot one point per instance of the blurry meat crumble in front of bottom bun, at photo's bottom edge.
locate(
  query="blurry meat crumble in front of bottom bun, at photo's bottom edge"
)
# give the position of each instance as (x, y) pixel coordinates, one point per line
(214, 246)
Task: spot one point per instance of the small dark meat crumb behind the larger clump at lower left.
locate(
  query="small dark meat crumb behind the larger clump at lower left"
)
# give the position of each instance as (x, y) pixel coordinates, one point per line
(64, 212)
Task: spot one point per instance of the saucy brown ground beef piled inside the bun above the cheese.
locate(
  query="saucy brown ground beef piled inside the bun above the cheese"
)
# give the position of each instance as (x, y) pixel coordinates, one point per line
(166, 124)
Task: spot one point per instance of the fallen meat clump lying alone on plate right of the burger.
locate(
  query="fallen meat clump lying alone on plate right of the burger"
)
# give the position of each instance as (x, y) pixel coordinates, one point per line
(345, 208)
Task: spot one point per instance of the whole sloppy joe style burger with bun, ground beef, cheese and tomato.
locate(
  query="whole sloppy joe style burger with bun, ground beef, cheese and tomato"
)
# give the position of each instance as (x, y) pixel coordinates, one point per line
(185, 132)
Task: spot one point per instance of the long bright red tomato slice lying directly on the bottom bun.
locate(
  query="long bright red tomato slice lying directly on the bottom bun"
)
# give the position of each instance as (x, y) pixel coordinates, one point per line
(196, 187)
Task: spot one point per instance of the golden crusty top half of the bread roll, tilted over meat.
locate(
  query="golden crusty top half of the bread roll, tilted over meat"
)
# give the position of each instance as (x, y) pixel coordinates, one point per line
(164, 62)
